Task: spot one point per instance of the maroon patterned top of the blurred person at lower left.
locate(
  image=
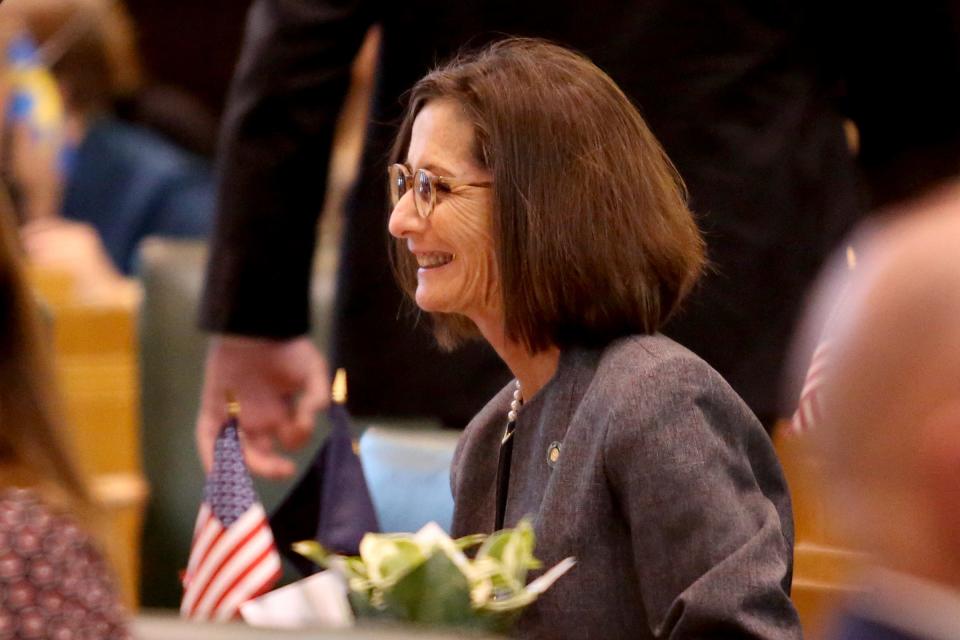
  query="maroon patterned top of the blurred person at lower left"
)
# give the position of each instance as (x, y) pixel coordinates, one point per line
(54, 584)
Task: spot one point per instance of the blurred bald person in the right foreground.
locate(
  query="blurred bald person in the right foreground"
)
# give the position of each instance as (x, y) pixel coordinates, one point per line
(890, 436)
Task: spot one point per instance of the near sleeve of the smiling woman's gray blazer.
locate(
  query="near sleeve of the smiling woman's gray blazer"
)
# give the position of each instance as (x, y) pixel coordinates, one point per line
(707, 508)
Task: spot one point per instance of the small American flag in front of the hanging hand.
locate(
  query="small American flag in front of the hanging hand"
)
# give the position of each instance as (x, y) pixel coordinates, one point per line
(233, 557)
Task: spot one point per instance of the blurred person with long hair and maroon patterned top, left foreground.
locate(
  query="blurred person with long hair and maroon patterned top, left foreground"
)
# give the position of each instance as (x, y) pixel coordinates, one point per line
(54, 581)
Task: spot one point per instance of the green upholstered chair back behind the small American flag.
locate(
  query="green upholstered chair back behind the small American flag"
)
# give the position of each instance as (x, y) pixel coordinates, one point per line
(172, 352)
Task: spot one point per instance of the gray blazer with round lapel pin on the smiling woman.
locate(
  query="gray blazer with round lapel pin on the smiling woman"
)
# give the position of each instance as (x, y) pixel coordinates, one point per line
(667, 491)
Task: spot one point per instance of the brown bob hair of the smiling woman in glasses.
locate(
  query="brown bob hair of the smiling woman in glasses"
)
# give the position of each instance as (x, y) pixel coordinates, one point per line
(592, 234)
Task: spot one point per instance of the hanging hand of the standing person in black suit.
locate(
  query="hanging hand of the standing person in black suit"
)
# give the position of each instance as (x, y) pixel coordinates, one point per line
(280, 385)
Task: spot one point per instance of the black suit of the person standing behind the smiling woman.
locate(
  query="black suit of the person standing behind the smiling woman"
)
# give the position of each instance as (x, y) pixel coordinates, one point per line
(744, 95)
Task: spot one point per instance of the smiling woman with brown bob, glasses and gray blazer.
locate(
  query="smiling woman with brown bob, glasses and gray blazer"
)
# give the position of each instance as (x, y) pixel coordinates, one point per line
(533, 208)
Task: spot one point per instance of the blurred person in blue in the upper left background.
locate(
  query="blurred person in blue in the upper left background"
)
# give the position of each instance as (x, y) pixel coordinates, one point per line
(114, 182)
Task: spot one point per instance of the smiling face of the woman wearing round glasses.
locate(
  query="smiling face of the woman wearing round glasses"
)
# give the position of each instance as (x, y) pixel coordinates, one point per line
(454, 245)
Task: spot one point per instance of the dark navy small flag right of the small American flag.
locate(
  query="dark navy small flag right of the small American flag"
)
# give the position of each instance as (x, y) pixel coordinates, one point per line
(330, 504)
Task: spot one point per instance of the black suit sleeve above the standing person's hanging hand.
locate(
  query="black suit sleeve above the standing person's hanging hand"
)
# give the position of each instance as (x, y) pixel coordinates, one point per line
(287, 91)
